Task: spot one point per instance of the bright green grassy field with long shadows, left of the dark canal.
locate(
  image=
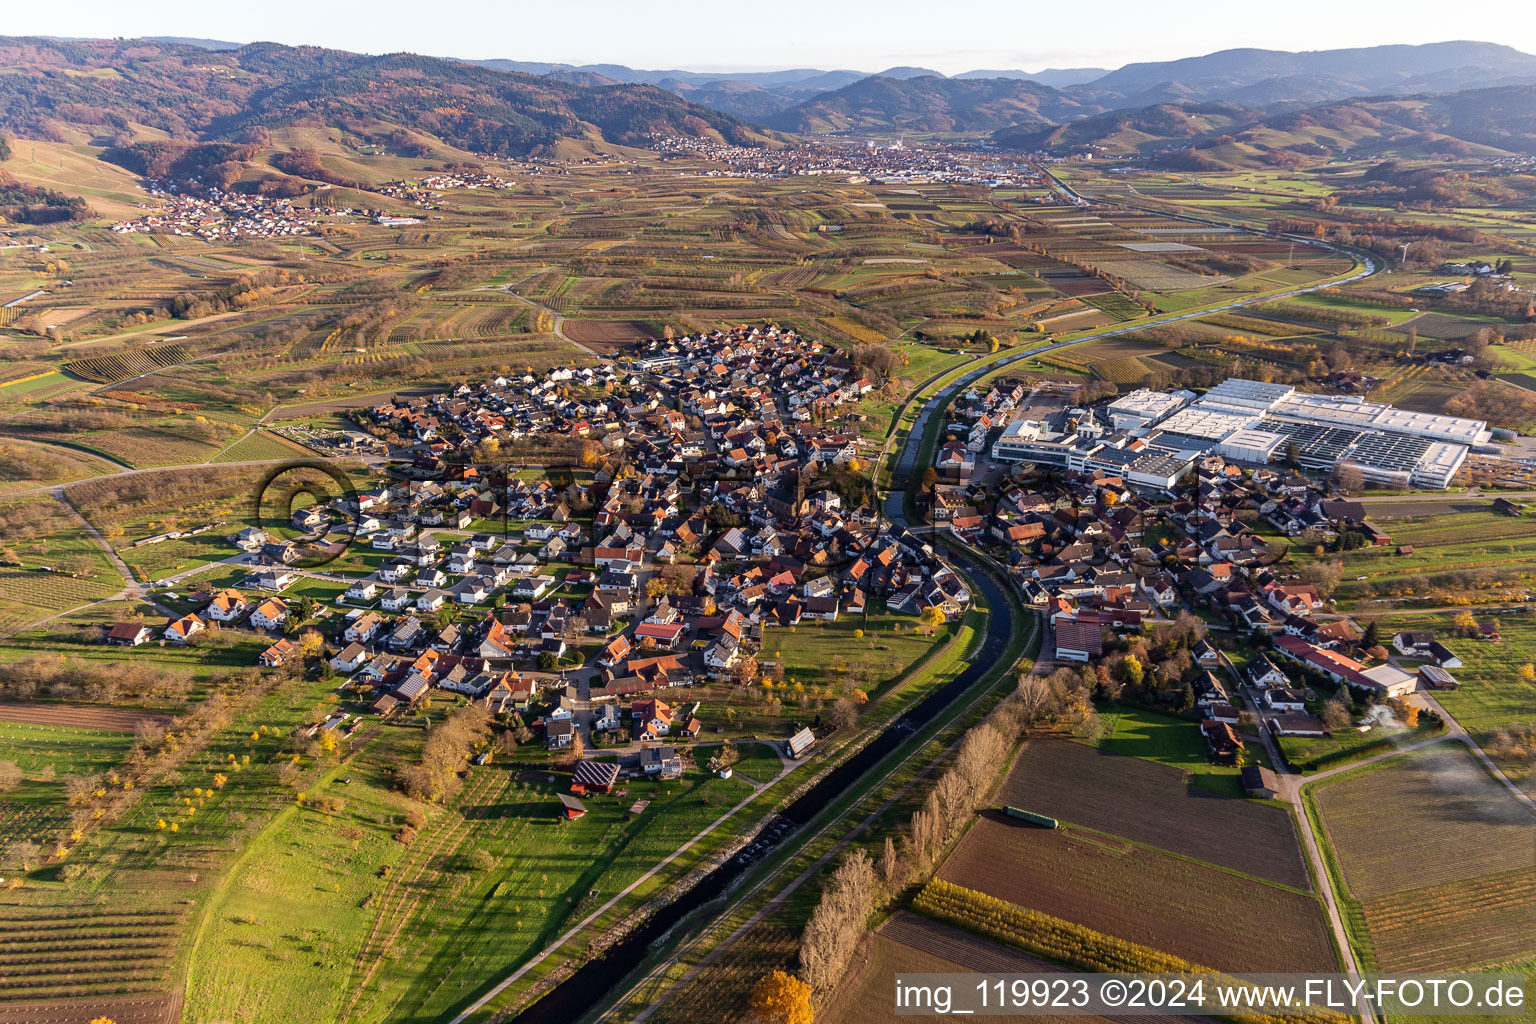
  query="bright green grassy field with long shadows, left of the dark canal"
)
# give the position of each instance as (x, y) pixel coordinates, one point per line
(343, 907)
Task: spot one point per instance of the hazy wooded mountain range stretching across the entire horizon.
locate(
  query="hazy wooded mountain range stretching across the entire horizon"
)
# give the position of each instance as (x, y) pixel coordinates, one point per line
(1240, 107)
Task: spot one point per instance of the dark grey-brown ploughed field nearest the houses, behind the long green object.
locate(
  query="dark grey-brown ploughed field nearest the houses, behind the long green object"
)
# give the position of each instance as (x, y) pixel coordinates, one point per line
(1154, 805)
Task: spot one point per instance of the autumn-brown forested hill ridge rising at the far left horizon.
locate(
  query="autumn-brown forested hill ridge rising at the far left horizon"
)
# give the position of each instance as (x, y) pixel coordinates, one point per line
(104, 90)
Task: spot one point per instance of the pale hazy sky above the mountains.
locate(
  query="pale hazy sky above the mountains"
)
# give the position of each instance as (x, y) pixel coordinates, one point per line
(950, 36)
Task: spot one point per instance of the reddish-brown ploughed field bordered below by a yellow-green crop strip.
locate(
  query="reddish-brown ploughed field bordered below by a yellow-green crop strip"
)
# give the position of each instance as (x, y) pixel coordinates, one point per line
(1194, 911)
